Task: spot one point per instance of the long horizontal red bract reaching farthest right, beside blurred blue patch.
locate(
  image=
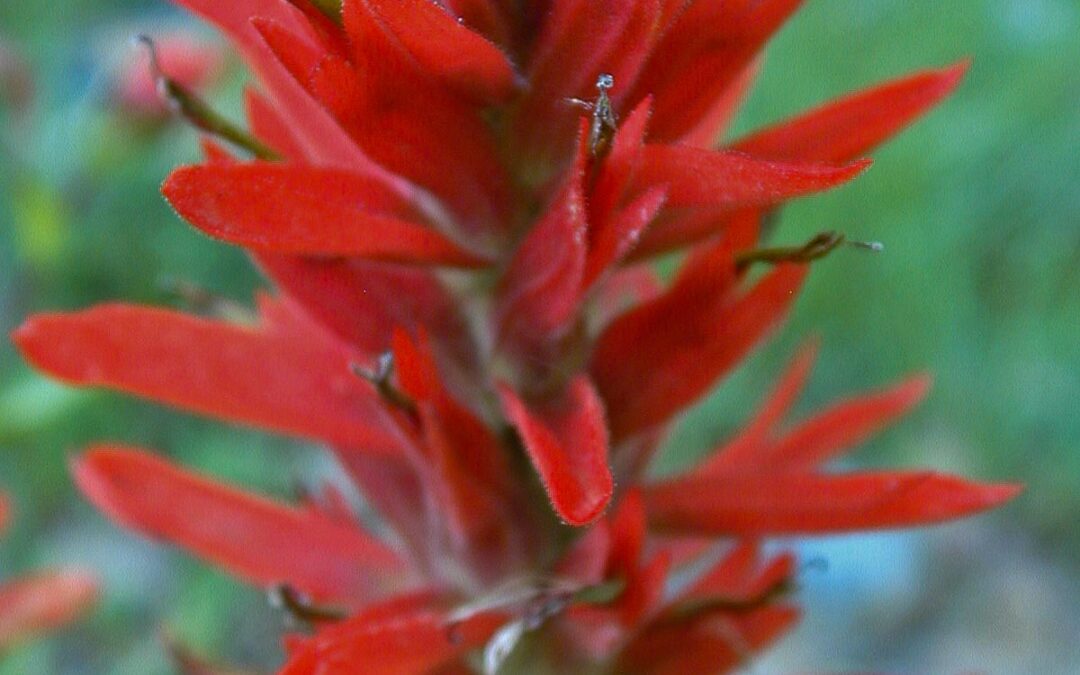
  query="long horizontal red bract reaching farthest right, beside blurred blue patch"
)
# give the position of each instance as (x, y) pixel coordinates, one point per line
(798, 504)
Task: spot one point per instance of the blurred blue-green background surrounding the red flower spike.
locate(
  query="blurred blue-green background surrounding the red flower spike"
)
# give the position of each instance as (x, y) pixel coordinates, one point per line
(979, 209)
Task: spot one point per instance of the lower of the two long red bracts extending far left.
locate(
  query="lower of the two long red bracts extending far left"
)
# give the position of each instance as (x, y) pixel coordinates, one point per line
(260, 541)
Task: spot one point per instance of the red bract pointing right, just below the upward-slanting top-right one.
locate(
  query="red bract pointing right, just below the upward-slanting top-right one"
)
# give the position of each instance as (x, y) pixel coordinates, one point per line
(731, 180)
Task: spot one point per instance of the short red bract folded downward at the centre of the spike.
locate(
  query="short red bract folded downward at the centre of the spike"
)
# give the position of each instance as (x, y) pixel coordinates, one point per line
(568, 442)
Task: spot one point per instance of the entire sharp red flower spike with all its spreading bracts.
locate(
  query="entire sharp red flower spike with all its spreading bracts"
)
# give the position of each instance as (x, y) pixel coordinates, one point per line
(456, 211)
